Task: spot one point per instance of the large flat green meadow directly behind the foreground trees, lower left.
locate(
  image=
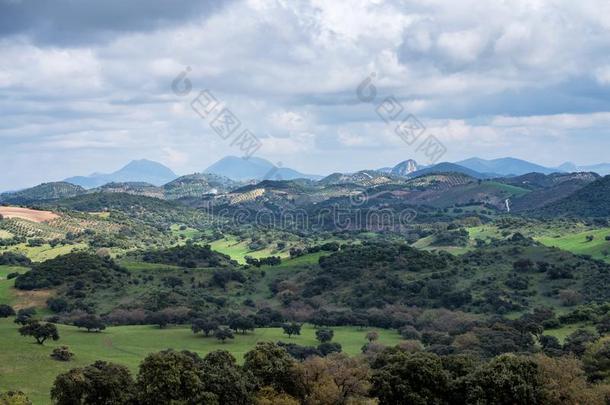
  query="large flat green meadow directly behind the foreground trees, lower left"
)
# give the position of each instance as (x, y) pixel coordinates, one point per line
(27, 366)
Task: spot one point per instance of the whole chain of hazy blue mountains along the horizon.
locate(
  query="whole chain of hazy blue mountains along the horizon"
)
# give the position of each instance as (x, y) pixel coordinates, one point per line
(239, 170)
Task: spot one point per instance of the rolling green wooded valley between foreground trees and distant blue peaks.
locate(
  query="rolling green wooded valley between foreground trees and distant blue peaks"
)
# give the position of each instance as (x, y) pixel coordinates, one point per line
(434, 262)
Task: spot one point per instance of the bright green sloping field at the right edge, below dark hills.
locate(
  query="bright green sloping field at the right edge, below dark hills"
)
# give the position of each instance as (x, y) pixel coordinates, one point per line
(577, 243)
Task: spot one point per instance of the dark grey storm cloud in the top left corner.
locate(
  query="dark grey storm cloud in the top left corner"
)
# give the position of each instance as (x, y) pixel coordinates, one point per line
(78, 22)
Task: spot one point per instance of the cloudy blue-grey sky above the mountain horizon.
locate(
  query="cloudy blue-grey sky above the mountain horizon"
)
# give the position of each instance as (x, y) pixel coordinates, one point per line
(86, 86)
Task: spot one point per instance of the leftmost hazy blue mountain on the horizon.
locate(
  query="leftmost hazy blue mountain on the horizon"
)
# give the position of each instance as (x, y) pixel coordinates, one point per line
(145, 171)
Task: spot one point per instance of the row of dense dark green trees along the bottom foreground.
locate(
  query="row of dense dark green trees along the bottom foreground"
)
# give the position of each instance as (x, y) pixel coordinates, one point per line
(269, 375)
